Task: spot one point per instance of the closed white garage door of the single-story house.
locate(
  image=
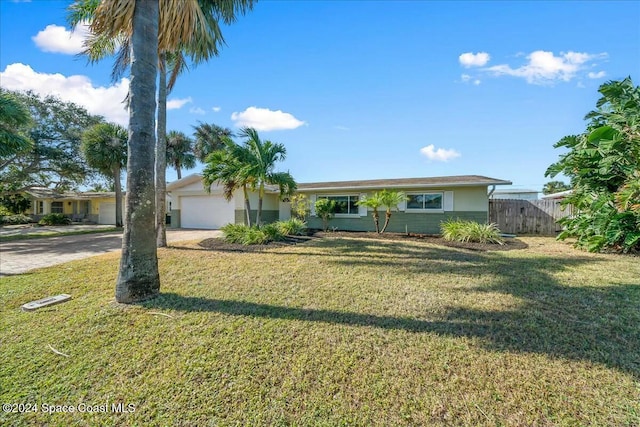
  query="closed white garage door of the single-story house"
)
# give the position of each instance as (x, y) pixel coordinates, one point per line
(211, 212)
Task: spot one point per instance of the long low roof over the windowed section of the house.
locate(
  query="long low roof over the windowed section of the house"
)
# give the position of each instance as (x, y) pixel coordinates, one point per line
(433, 182)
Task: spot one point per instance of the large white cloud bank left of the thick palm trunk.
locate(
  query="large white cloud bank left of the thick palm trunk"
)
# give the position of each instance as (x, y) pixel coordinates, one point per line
(105, 101)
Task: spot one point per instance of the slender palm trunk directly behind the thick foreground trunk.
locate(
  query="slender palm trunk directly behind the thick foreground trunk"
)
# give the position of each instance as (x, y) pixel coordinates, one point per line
(161, 157)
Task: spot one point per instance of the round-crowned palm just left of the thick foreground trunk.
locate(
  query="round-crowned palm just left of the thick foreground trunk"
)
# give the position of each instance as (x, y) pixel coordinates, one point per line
(105, 147)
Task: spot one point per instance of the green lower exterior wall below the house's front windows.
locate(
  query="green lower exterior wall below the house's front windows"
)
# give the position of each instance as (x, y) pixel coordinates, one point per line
(400, 222)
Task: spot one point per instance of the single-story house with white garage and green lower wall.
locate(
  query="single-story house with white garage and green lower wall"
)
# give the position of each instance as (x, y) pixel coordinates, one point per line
(430, 201)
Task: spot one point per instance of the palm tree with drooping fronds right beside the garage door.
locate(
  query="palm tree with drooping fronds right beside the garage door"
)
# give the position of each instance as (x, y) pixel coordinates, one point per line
(261, 157)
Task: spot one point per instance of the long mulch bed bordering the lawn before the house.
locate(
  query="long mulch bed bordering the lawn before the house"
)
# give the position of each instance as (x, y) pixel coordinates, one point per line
(221, 245)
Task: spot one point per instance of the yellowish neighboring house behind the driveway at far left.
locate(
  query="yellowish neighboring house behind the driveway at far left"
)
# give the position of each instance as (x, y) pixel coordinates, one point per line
(91, 207)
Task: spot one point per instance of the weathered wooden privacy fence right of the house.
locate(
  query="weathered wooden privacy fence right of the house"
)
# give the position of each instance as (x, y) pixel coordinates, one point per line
(527, 216)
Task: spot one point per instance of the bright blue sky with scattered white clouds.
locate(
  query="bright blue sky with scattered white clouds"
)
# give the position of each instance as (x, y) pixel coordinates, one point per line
(364, 90)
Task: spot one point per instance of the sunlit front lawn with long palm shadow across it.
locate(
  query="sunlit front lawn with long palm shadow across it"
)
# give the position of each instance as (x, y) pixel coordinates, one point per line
(334, 332)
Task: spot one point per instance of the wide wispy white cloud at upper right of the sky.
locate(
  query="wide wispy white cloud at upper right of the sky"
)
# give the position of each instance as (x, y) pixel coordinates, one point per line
(545, 68)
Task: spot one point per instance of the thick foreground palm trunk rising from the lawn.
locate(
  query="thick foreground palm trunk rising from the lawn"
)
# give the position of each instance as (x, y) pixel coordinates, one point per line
(138, 277)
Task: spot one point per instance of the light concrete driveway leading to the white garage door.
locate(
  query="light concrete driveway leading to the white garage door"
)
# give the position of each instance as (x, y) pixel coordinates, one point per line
(20, 256)
